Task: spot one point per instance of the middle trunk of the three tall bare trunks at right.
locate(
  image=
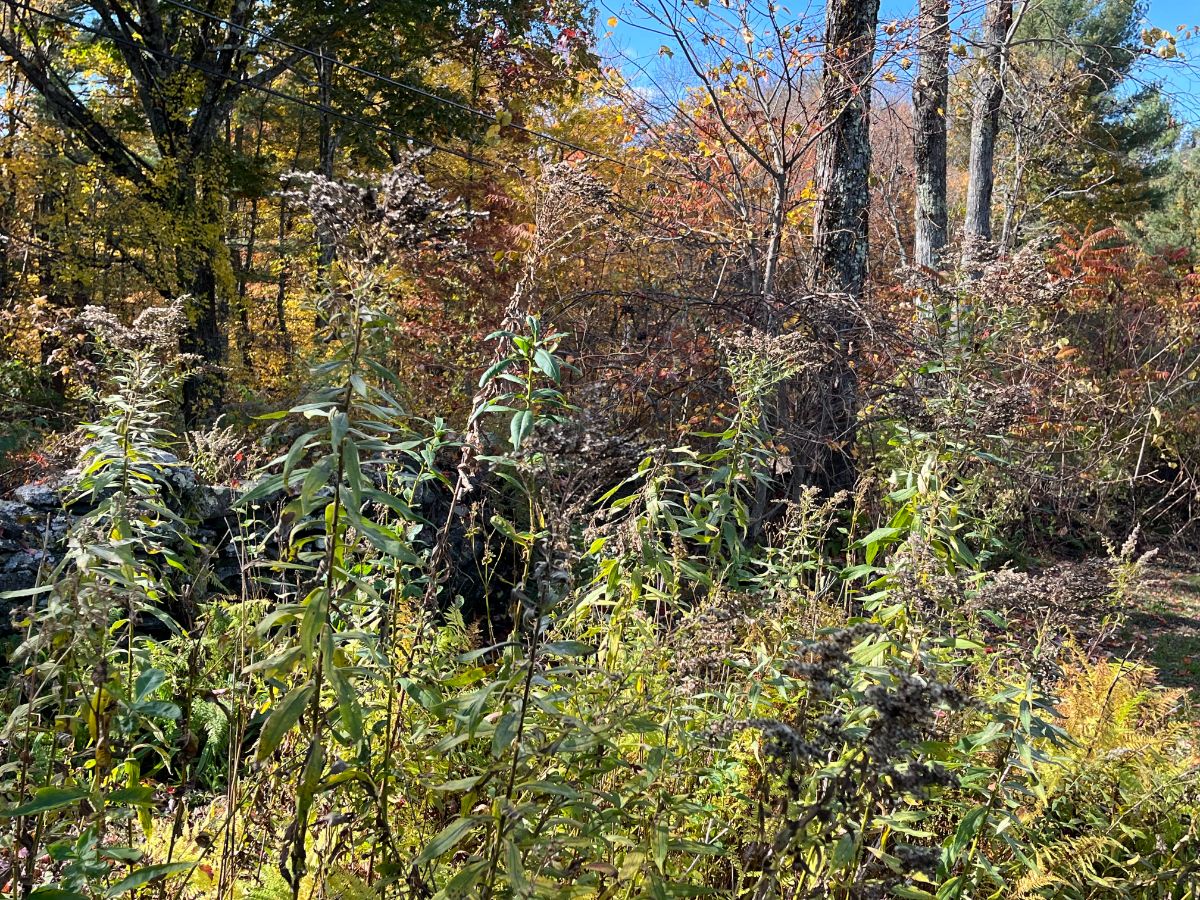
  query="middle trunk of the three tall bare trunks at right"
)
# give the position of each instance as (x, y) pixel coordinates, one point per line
(929, 100)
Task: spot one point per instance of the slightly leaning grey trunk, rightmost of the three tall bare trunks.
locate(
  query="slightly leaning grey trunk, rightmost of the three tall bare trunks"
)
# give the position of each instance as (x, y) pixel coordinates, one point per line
(985, 124)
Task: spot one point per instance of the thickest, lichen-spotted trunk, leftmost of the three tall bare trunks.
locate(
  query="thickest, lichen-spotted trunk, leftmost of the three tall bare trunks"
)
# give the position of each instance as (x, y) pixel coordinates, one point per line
(841, 229)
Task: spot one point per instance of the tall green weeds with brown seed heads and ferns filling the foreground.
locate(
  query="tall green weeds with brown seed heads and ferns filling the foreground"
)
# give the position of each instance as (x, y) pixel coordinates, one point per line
(652, 694)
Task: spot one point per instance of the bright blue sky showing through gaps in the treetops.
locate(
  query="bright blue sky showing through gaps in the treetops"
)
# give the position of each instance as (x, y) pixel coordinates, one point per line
(1181, 80)
